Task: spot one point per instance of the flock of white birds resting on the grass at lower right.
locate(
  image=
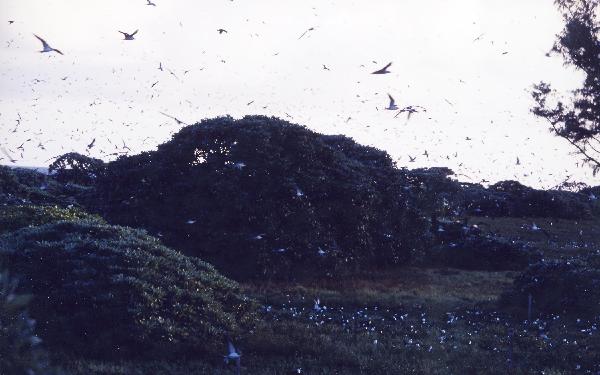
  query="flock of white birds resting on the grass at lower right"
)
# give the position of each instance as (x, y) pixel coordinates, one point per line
(414, 328)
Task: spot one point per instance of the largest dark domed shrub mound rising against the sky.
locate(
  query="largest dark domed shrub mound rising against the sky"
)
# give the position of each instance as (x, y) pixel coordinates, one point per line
(262, 196)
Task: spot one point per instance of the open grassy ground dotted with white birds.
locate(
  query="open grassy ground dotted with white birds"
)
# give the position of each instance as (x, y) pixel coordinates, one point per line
(406, 321)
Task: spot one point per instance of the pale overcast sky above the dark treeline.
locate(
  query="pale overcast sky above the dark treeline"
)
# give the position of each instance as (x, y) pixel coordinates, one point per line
(101, 87)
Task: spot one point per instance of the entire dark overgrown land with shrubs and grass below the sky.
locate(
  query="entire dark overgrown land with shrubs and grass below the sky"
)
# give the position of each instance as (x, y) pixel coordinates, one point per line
(347, 264)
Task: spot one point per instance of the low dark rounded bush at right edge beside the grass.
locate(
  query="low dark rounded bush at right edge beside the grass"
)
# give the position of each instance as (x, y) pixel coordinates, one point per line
(558, 287)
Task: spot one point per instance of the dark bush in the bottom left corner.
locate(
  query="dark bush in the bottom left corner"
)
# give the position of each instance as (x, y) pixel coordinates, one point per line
(19, 346)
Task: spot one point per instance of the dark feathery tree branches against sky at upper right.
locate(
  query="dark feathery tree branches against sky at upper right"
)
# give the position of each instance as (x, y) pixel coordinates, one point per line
(578, 120)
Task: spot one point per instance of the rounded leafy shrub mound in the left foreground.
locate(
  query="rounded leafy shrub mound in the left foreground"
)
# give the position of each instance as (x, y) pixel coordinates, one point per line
(104, 290)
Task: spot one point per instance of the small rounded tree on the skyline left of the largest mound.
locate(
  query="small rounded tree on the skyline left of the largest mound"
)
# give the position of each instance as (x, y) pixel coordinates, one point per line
(76, 168)
